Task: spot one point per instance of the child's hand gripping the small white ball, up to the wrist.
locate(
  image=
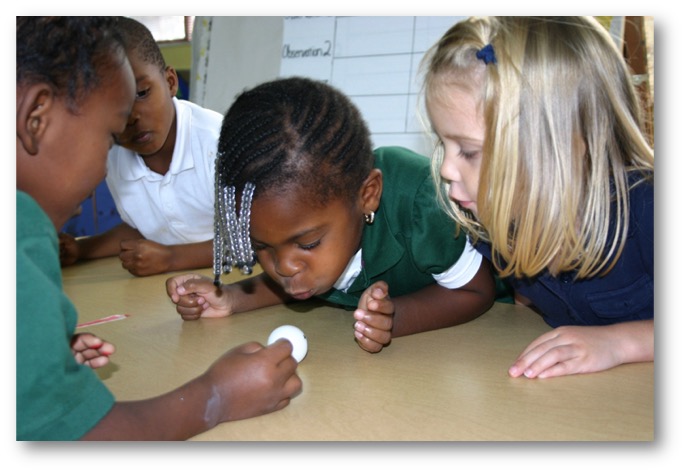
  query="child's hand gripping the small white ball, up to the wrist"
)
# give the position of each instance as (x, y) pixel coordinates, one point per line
(252, 380)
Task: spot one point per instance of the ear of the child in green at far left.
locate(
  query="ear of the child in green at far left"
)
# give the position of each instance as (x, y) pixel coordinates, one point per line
(33, 110)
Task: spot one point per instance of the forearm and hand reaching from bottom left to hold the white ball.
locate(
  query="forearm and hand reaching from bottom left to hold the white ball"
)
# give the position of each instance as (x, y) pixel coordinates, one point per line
(247, 381)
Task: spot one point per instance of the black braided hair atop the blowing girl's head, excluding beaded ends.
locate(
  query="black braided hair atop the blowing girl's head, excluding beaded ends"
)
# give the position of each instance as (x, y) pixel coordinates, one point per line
(295, 134)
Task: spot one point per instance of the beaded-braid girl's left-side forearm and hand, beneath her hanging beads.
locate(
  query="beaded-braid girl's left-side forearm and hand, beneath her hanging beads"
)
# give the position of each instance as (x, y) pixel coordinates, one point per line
(195, 296)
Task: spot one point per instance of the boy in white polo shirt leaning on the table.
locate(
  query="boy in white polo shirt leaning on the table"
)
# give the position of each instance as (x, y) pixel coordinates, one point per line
(160, 173)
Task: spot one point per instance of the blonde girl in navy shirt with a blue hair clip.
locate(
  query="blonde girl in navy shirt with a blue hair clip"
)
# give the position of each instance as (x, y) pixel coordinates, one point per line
(543, 159)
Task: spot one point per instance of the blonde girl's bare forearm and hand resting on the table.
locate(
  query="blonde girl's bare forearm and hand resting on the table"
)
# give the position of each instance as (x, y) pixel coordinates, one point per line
(582, 349)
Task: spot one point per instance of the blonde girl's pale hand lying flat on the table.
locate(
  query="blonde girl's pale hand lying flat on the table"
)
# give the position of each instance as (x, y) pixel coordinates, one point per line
(569, 350)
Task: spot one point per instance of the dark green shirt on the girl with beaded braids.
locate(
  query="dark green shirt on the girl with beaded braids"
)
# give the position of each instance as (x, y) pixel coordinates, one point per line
(411, 239)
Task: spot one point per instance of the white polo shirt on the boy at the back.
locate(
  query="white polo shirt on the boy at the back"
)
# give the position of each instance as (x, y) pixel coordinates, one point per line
(178, 207)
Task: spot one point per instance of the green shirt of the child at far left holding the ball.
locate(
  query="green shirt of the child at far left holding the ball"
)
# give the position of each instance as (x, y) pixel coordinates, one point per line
(57, 398)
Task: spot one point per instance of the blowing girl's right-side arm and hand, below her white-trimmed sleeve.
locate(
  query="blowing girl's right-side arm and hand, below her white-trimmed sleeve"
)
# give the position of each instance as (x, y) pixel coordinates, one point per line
(433, 307)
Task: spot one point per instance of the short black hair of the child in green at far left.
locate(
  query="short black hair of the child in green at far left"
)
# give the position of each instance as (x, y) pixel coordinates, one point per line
(71, 54)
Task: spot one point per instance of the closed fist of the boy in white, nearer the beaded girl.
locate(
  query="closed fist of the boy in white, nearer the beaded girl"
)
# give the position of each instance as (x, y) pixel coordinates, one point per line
(142, 257)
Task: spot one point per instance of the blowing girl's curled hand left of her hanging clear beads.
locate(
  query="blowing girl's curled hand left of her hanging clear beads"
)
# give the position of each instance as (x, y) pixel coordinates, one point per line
(196, 296)
